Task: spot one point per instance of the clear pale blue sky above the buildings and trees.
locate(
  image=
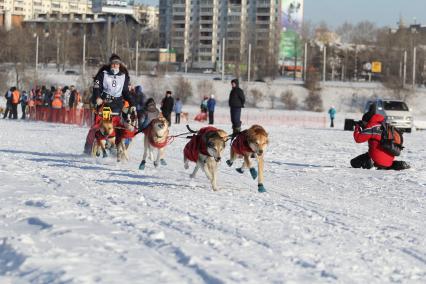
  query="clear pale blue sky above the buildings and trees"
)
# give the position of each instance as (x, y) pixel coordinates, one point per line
(381, 12)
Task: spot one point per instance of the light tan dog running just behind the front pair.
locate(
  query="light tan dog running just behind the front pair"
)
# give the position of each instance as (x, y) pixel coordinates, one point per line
(155, 140)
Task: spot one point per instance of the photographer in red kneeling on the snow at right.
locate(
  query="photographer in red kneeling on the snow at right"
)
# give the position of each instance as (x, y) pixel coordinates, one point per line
(370, 129)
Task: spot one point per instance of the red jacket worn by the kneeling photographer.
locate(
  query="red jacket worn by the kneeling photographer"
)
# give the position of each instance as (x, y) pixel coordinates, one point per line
(372, 133)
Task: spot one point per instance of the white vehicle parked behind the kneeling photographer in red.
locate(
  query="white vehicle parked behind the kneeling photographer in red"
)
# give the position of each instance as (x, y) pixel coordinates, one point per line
(396, 112)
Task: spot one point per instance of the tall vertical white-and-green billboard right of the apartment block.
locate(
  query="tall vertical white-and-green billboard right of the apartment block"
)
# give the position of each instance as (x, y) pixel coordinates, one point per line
(291, 27)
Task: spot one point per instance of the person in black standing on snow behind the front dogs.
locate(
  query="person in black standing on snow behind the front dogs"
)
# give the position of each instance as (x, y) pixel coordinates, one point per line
(236, 102)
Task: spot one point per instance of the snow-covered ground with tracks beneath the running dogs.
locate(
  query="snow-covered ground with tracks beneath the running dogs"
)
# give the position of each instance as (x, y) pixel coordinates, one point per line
(67, 218)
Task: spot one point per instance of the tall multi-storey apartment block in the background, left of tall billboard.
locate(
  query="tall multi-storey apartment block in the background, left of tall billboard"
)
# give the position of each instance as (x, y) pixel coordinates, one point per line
(195, 29)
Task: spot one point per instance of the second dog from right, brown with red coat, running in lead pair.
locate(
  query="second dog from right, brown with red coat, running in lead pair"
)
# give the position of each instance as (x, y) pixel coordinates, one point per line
(205, 149)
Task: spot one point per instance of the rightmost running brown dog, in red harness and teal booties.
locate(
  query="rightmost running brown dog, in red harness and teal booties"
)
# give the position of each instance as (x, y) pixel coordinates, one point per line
(250, 142)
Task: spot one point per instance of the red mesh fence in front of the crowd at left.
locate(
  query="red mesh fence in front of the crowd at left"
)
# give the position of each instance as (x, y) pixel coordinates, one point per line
(81, 117)
